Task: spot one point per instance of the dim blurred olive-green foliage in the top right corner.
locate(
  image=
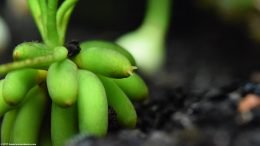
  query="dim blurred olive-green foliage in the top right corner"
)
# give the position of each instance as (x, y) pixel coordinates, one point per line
(245, 13)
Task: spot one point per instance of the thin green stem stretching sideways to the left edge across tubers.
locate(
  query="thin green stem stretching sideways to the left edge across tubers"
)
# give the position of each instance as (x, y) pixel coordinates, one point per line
(59, 53)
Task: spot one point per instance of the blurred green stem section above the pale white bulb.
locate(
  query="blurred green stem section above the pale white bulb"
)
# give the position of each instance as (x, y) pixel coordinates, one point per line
(157, 14)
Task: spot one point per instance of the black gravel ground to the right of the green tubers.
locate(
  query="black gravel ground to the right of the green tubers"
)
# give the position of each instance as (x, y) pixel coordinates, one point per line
(180, 118)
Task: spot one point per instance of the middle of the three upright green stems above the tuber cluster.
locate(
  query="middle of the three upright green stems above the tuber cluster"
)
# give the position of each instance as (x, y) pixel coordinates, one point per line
(52, 33)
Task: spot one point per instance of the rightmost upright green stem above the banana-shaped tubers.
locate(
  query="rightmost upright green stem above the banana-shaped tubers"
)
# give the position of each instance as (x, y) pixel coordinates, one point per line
(63, 16)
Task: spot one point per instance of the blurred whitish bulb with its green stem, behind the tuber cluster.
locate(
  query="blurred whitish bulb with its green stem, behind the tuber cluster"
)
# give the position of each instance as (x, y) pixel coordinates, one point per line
(147, 43)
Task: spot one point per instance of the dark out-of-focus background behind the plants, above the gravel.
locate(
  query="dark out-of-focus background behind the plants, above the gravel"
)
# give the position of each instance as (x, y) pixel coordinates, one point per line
(209, 42)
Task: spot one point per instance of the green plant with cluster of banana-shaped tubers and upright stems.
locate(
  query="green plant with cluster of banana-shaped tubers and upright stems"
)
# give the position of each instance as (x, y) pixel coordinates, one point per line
(54, 90)
